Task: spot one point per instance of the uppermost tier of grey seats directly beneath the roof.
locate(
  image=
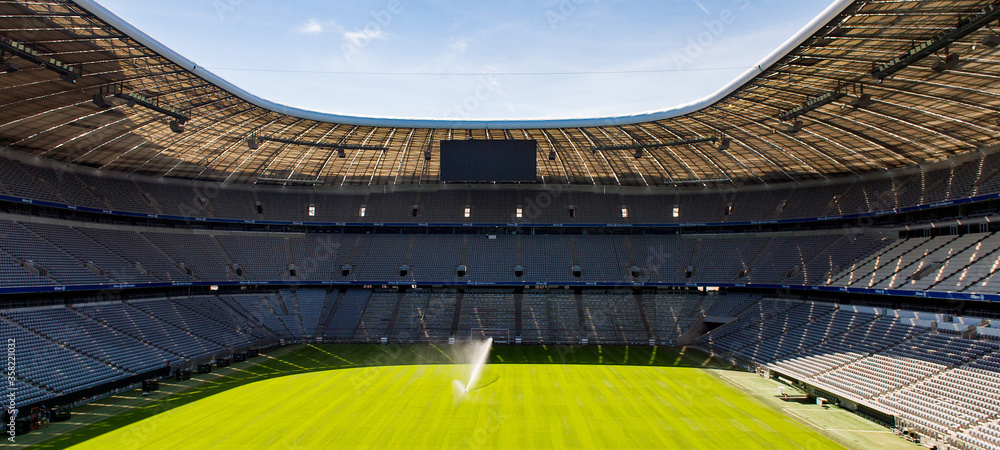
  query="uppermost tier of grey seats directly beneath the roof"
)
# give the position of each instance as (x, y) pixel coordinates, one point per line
(927, 184)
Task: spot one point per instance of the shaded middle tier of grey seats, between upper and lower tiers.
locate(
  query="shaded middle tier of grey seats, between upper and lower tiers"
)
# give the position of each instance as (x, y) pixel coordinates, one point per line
(85, 253)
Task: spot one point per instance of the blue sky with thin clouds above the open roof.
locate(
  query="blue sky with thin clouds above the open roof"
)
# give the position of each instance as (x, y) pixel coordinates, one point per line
(512, 59)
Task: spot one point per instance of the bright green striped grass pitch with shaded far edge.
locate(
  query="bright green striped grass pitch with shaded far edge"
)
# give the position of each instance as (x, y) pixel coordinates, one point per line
(528, 397)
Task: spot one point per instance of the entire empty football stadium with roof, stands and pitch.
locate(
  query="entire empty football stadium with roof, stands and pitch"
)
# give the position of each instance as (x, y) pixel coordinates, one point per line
(804, 258)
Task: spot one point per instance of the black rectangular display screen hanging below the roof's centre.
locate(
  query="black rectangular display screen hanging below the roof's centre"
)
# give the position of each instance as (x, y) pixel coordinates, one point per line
(483, 160)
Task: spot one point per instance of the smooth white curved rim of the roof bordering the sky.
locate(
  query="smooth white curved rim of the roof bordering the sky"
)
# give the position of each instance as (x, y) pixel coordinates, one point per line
(811, 28)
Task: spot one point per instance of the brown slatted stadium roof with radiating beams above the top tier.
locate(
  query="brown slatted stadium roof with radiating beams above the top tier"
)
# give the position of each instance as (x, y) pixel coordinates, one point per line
(867, 86)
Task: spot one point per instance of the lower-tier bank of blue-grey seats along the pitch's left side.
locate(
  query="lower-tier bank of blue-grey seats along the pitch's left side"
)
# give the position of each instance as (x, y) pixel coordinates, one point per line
(80, 346)
